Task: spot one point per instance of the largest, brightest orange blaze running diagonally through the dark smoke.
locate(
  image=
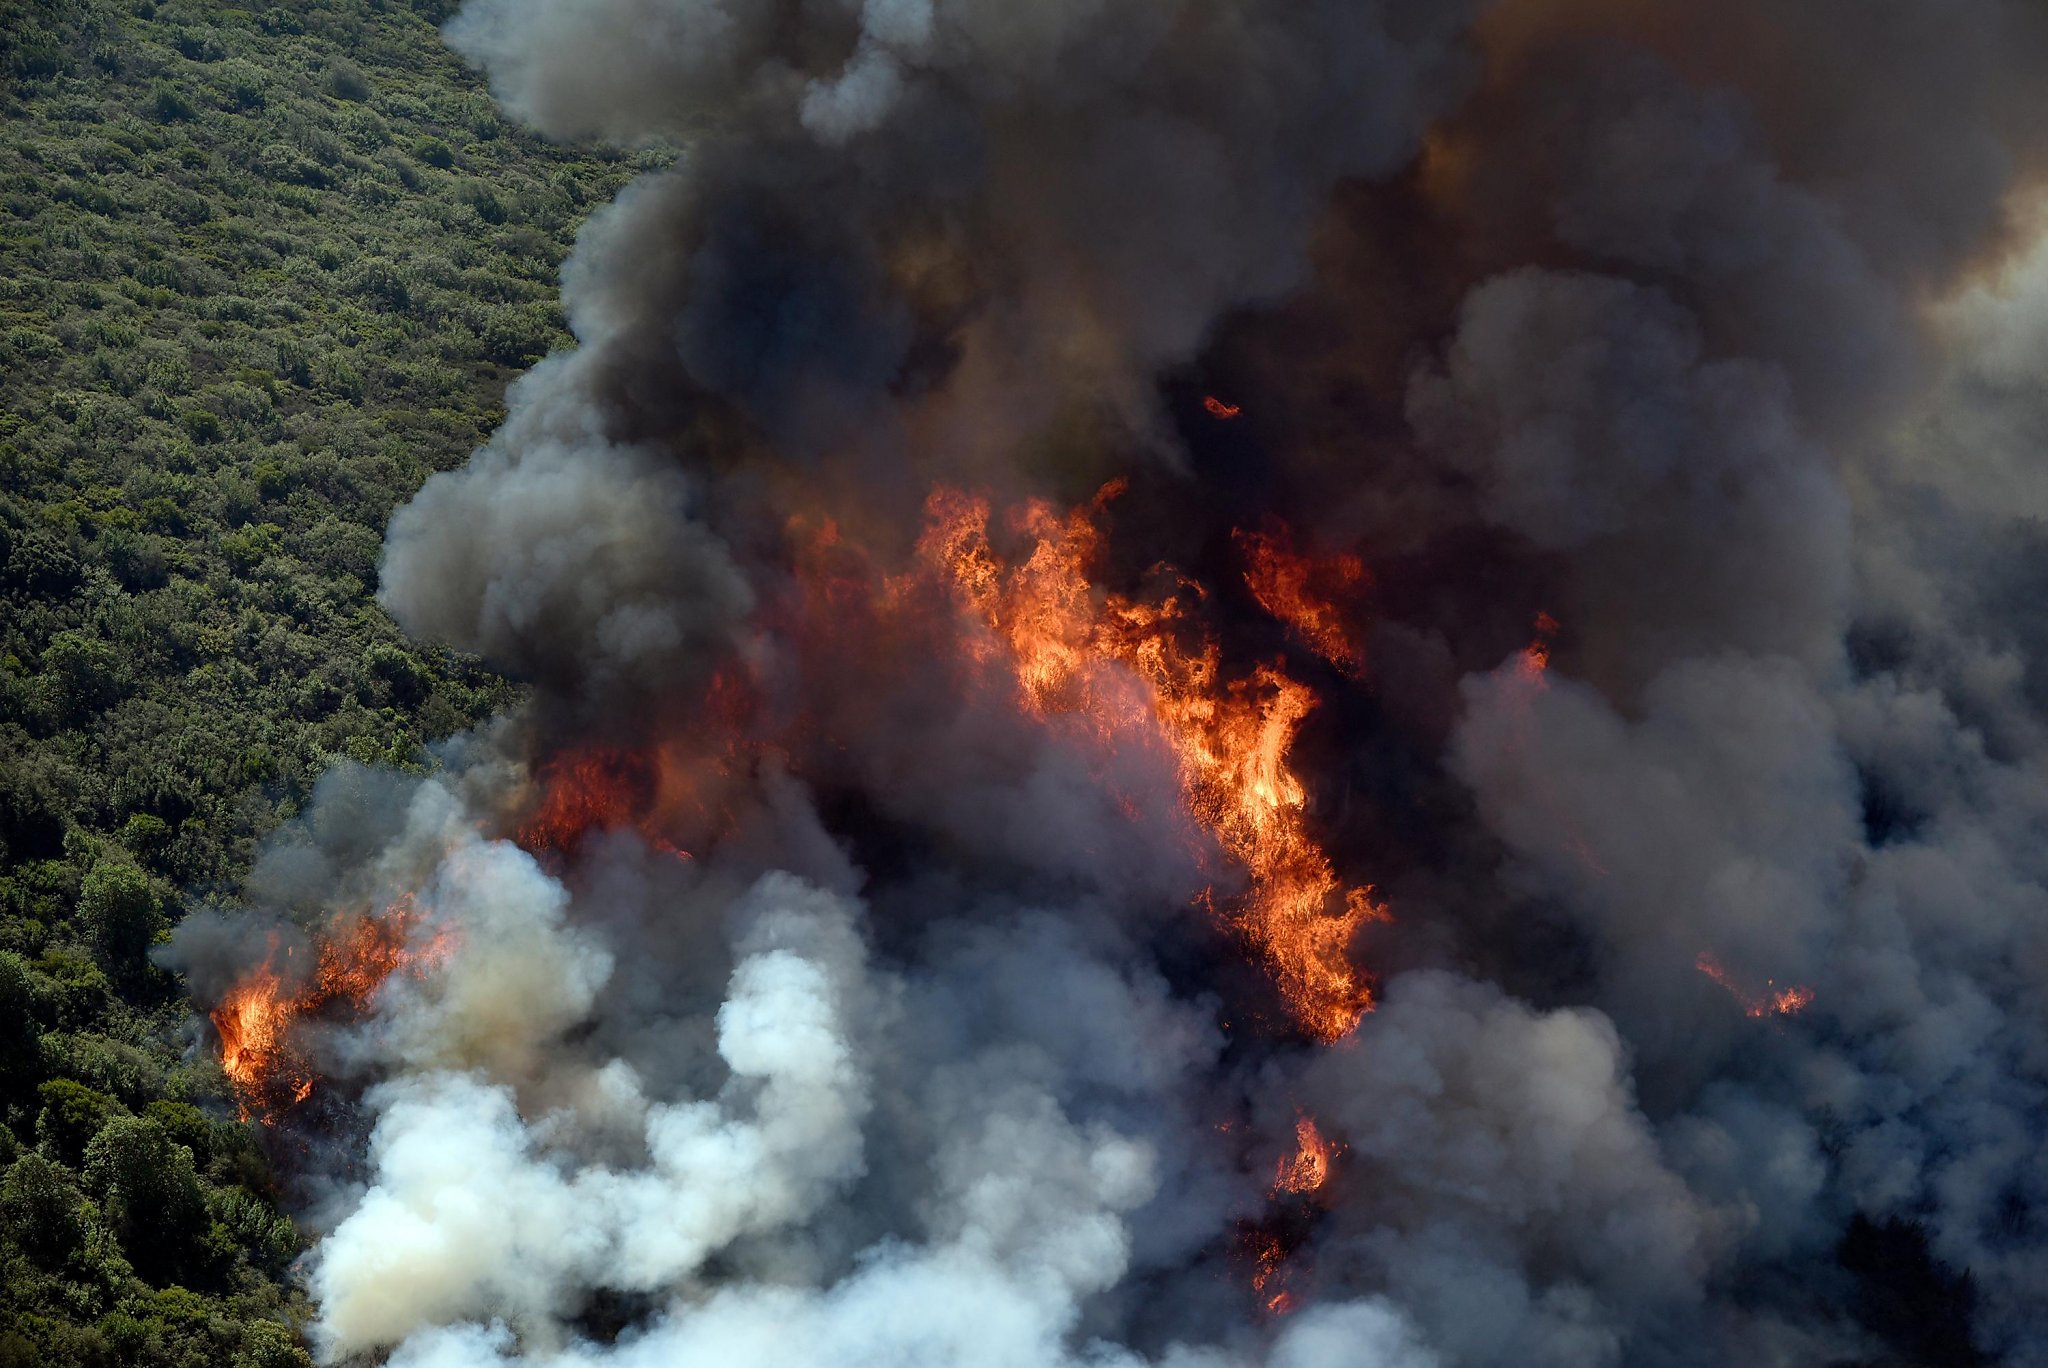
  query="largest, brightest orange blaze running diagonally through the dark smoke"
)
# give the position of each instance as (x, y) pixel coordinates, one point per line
(1125, 671)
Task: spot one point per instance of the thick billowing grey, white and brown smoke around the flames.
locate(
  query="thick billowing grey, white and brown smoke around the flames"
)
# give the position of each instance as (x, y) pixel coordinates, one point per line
(1715, 1025)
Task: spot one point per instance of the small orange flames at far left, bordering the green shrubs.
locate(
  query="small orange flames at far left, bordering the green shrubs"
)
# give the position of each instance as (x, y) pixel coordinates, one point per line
(257, 1017)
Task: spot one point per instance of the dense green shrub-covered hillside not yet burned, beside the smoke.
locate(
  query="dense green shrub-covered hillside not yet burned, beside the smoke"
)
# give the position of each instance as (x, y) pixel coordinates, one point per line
(265, 271)
